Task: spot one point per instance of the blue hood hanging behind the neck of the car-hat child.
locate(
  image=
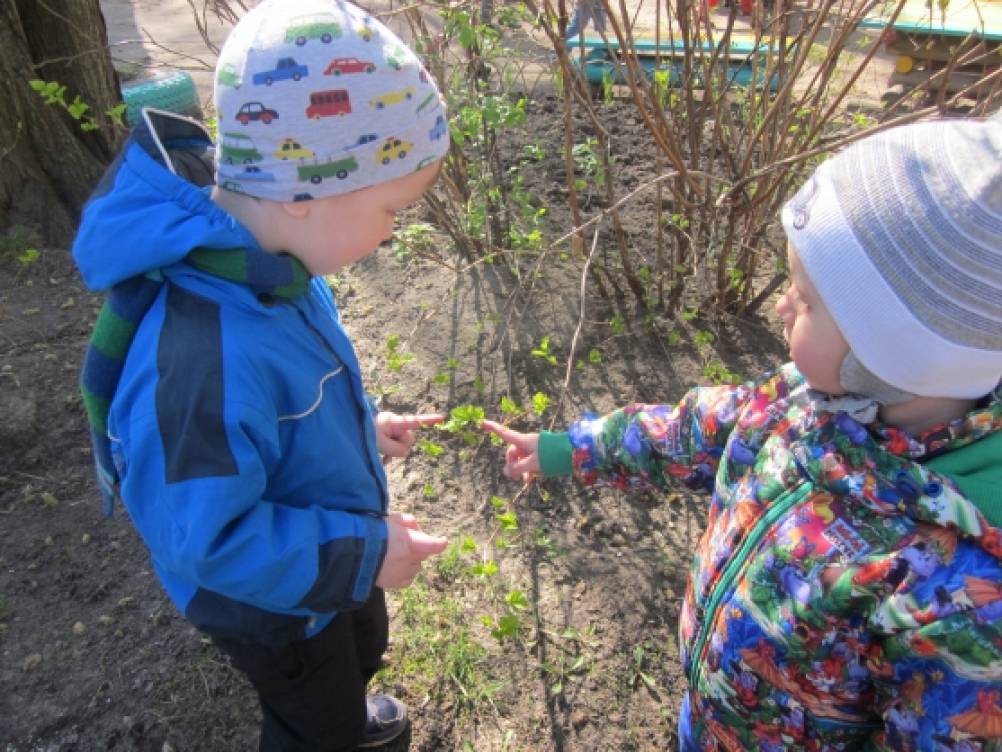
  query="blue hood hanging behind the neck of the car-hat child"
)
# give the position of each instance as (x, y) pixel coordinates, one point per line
(153, 206)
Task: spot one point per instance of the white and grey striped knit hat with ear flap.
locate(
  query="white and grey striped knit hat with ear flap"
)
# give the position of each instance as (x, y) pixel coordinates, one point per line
(901, 234)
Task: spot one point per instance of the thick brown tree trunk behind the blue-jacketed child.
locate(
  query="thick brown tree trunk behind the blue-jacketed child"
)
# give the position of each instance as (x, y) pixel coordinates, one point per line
(49, 164)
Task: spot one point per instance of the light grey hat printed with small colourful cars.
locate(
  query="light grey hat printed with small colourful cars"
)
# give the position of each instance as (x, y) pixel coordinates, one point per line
(316, 99)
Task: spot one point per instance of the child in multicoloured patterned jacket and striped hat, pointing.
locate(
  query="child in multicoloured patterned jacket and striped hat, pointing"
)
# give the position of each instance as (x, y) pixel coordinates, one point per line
(847, 593)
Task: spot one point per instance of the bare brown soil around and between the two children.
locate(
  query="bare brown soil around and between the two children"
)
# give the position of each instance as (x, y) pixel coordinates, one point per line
(94, 656)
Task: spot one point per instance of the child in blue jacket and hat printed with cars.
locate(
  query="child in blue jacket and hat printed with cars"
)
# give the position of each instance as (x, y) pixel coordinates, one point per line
(226, 400)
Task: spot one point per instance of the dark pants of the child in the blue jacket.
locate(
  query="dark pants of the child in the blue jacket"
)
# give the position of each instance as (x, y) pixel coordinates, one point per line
(313, 692)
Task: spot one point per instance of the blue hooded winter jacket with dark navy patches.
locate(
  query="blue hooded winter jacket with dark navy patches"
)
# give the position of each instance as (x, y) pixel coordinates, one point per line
(241, 430)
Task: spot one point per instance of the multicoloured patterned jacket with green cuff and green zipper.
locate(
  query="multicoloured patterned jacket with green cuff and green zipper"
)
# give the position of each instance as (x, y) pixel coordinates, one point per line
(847, 593)
